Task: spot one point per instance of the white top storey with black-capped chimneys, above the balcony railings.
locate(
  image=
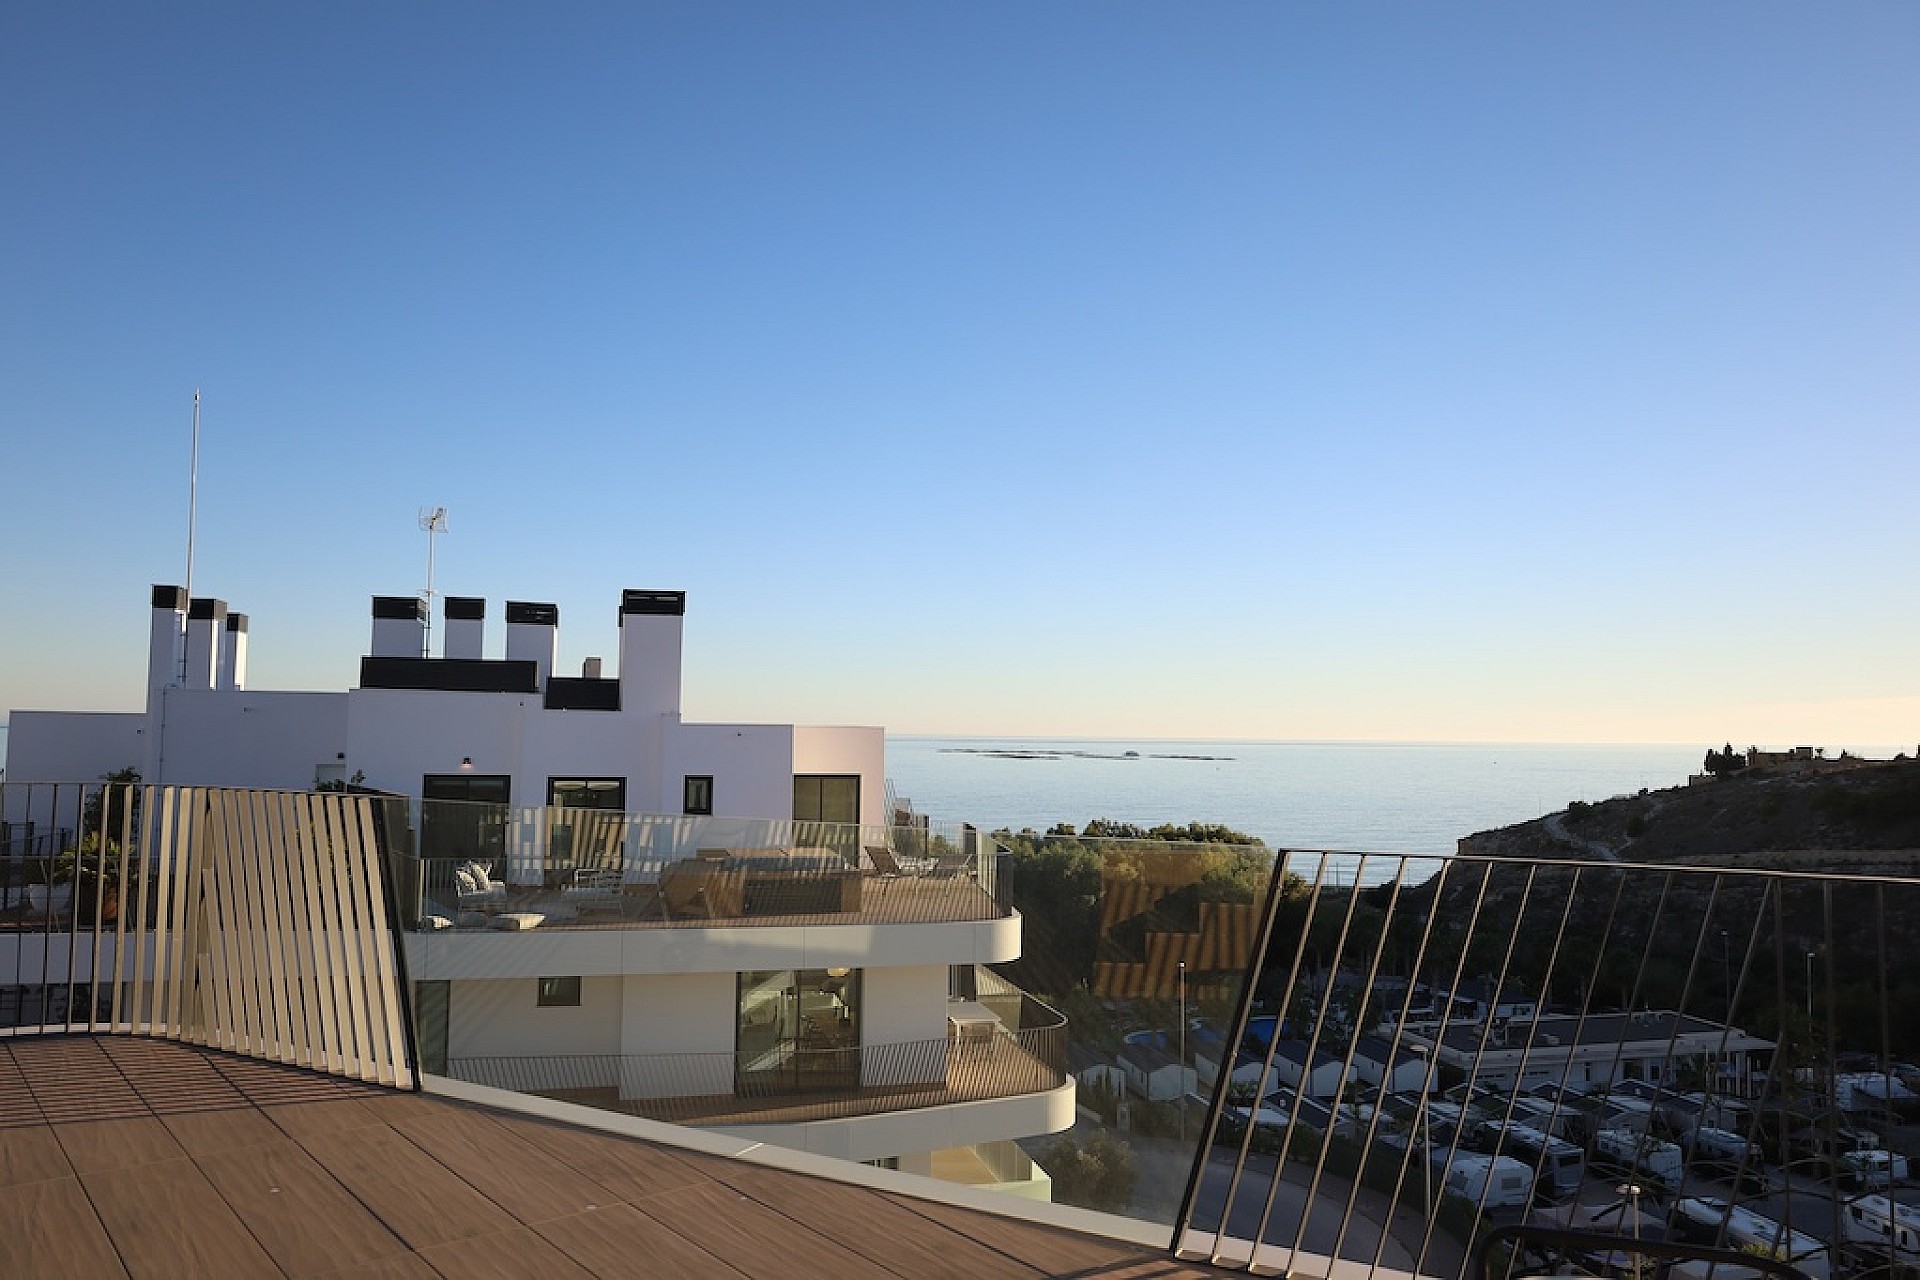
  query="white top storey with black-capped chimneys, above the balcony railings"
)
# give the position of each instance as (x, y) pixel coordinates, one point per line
(458, 726)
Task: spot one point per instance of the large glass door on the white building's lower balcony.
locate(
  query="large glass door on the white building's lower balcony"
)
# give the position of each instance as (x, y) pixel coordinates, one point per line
(800, 1030)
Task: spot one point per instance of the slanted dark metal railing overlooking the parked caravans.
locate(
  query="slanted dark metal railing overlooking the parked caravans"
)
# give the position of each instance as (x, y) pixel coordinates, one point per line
(1700, 1047)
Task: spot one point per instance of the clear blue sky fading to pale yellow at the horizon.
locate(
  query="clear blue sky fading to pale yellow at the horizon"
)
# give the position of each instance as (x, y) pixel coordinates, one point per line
(1364, 371)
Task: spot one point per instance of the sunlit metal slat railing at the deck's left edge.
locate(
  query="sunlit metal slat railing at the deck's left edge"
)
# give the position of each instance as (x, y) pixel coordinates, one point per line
(241, 920)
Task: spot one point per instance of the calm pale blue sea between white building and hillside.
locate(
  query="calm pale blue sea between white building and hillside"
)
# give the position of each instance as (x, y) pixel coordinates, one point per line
(1333, 797)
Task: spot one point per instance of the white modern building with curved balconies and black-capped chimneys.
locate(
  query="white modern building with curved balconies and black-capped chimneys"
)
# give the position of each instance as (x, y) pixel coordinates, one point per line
(606, 903)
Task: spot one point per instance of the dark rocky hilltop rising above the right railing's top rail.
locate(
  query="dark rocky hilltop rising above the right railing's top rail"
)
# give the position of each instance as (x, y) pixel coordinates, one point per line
(1861, 818)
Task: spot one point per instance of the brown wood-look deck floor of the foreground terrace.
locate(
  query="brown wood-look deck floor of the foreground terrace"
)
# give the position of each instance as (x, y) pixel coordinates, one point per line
(147, 1158)
